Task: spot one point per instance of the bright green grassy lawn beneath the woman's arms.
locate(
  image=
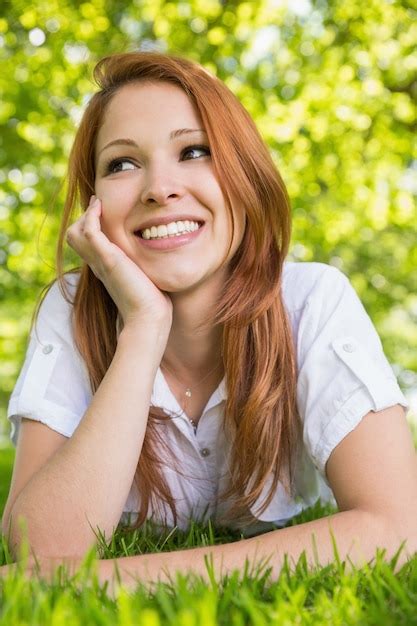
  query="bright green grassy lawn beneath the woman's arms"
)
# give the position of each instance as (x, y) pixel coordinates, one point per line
(301, 595)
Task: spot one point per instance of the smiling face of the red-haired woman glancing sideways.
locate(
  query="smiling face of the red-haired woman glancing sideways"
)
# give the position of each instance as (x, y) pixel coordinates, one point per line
(152, 171)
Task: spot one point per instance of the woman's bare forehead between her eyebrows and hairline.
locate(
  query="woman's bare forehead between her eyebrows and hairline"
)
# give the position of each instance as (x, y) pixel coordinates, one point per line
(140, 107)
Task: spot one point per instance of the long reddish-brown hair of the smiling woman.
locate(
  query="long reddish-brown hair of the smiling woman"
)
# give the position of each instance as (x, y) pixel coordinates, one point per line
(261, 418)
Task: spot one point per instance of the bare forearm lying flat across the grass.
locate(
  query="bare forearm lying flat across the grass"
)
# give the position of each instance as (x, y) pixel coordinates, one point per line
(357, 535)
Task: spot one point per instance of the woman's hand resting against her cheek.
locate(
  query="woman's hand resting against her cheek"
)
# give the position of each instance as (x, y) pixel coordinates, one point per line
(137, 298)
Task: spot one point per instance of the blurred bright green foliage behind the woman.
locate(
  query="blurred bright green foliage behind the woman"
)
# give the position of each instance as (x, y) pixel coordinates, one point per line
(331, 86)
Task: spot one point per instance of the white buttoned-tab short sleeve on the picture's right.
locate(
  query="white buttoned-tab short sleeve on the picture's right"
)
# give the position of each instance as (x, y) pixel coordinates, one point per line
(342, 369)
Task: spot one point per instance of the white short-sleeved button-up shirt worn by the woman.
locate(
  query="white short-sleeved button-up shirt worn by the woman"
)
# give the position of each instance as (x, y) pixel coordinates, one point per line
(342, 375)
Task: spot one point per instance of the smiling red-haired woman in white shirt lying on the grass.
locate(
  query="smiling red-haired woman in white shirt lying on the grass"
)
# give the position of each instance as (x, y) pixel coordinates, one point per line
(189, 371)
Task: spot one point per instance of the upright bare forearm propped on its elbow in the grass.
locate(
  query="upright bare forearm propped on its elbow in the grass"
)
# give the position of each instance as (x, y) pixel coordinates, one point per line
(88, 479)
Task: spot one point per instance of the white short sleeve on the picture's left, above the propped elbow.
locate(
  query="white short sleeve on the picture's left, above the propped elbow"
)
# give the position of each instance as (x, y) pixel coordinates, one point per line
(53, 385)
